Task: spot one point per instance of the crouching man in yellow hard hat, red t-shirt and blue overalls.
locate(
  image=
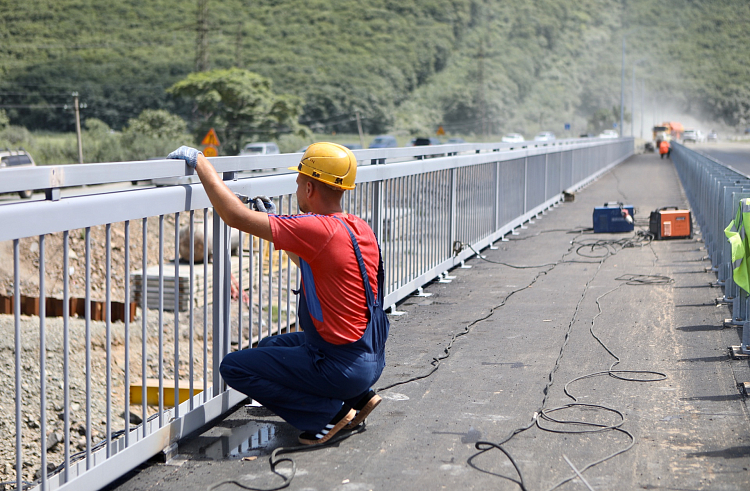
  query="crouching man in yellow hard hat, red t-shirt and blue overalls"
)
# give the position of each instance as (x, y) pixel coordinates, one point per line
(319, 380)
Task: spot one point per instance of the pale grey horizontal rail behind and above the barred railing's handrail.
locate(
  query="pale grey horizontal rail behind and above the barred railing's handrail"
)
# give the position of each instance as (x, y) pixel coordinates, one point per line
(62, 176)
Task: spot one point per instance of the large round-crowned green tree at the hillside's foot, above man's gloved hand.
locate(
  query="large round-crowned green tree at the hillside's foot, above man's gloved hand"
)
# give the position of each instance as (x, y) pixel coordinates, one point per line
(240, 105)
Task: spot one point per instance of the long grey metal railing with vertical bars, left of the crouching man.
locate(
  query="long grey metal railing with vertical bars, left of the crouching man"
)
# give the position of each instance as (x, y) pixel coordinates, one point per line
(420, 210)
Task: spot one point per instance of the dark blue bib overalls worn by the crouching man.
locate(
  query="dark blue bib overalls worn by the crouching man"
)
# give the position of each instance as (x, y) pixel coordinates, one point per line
(305, 379)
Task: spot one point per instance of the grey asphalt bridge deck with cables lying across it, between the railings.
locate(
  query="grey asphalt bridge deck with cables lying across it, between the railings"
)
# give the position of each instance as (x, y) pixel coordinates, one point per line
(691, 430)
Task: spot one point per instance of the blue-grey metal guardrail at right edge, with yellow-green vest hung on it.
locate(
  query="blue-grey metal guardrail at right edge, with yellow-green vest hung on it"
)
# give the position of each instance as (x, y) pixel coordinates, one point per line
(714, 191)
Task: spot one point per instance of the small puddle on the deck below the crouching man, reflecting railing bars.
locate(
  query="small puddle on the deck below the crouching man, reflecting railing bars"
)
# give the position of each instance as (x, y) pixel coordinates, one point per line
(242, 441)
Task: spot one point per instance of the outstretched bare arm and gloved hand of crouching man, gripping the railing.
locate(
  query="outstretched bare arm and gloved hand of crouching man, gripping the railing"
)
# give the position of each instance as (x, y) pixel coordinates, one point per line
(227, 205)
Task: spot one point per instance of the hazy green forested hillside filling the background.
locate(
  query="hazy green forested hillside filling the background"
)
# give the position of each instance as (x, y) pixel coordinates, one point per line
(473, 66)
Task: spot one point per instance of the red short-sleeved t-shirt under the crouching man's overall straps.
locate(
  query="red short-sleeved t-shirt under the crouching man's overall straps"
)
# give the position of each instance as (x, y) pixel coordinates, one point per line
(330, 272)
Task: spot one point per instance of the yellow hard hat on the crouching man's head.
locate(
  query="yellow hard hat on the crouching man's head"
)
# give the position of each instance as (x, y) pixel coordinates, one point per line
(330, 163)
